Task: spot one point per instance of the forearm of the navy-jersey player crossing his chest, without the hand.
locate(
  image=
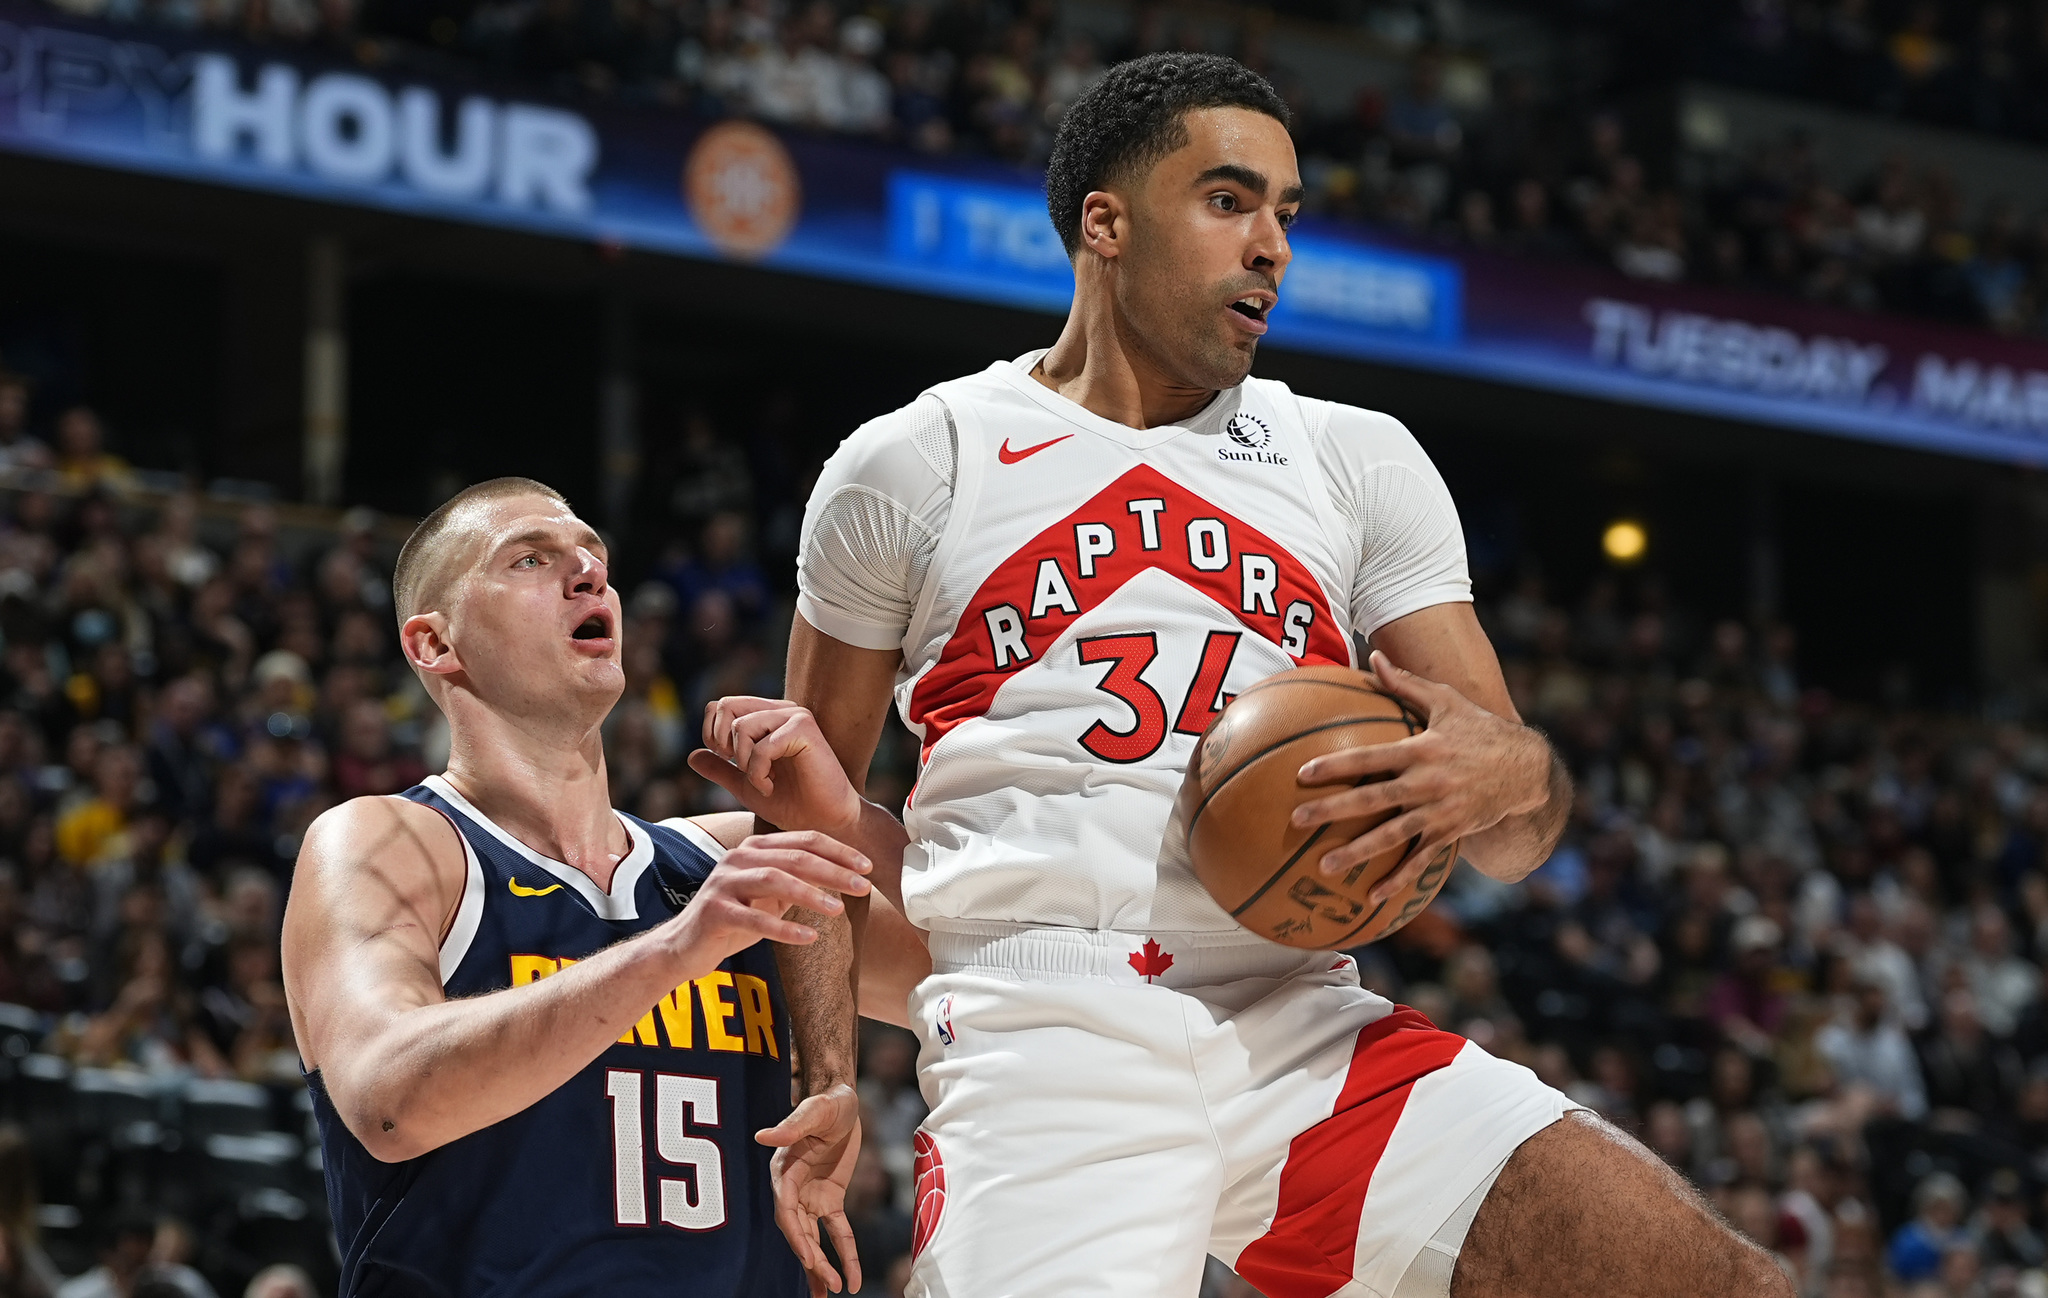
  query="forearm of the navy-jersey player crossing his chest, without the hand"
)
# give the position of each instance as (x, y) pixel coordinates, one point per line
(439, 1072)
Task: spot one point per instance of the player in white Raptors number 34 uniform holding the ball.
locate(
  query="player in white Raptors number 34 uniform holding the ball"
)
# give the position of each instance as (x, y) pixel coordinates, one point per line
(1062, 568)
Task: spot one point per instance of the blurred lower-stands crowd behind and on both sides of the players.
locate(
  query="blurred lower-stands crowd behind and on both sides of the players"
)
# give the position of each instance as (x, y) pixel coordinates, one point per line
(1791, 941)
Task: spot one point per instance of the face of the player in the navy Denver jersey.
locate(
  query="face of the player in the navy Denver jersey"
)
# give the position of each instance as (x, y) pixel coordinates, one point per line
(536, 619)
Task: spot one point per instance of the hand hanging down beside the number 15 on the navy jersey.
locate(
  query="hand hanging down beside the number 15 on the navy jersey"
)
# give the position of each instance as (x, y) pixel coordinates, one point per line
(814, 1160)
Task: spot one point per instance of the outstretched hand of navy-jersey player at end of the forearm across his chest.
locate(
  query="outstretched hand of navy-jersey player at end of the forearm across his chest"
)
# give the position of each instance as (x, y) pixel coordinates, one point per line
(757, 883)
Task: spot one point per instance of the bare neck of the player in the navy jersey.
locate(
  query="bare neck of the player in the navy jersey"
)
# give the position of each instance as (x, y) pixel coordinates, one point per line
(546, 785)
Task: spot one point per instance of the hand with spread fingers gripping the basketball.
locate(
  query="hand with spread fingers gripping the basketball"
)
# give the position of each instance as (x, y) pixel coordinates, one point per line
(1461, 777)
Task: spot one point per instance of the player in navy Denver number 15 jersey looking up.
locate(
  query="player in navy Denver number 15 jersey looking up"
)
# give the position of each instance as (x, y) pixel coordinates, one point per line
(540, 1033)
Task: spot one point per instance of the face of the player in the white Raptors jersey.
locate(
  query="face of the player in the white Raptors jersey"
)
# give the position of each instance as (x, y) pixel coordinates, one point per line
(1209, 247)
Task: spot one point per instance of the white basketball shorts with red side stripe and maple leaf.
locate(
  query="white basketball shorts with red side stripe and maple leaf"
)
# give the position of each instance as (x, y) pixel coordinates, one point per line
(1109, 1109)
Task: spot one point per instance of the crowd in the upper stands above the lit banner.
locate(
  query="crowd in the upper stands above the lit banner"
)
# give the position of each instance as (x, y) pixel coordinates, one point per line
(1447, 150)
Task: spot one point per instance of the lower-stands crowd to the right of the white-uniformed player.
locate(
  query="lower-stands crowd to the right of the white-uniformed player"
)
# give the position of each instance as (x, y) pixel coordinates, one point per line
(1793, 943)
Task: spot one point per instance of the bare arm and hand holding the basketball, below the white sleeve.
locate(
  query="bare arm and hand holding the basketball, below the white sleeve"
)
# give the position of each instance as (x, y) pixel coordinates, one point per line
(1478, 775)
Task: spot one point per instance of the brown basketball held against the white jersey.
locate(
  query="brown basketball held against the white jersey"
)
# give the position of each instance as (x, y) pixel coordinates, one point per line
(1242, 787)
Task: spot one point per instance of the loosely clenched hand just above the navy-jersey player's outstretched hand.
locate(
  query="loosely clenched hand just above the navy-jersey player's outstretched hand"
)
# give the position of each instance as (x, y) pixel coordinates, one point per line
(769, 754)
